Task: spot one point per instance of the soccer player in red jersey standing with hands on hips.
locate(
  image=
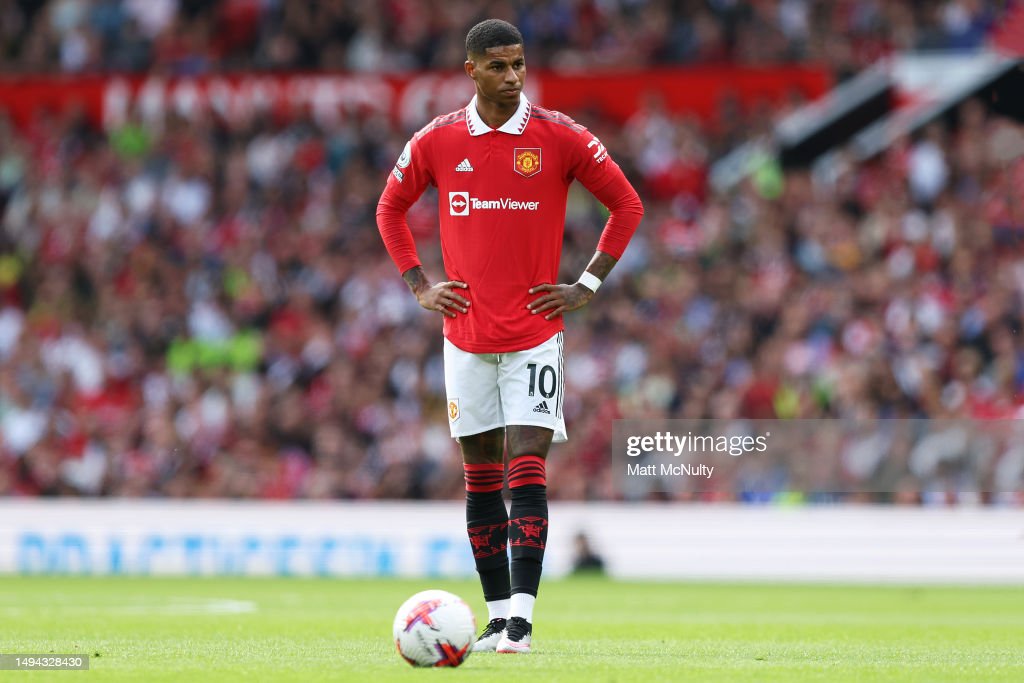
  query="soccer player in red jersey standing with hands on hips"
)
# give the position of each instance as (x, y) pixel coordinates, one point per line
(503, 167)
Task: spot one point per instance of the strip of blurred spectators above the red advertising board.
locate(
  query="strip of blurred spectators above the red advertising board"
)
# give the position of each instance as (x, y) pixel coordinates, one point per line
(205, 36)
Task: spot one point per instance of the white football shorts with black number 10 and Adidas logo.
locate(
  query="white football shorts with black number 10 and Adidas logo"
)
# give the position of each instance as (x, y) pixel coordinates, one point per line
(491, 391)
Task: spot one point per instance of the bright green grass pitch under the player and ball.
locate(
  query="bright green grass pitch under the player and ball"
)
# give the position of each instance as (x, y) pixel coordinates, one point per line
(591, 630)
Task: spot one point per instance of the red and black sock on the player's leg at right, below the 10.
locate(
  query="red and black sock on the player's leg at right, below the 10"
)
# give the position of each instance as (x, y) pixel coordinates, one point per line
(528, 522)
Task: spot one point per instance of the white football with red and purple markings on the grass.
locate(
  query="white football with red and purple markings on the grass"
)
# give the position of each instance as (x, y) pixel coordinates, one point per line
(435, 629)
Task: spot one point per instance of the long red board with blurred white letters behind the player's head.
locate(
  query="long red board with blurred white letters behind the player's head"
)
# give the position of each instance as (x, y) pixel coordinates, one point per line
(411, 100)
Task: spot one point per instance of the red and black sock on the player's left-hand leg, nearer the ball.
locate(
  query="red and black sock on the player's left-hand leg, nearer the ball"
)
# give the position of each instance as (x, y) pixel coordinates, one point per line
(488, 525)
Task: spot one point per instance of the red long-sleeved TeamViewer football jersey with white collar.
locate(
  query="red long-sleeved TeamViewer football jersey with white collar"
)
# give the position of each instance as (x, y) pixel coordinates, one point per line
(502, 206)
